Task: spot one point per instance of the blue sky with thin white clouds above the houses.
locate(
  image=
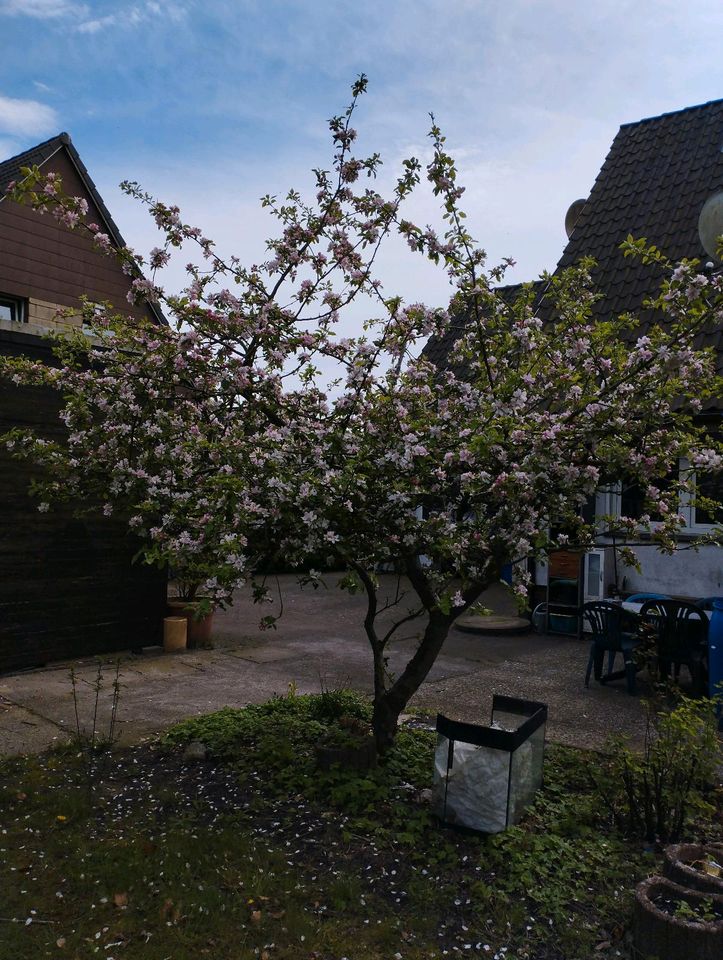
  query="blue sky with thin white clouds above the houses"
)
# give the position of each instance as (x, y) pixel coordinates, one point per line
(211, 104)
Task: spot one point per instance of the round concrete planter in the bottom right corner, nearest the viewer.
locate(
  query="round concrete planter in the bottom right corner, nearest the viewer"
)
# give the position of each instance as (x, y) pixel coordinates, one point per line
(666, 937)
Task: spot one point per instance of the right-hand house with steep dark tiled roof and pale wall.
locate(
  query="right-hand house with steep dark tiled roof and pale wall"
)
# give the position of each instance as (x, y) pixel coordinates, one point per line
(654, 182)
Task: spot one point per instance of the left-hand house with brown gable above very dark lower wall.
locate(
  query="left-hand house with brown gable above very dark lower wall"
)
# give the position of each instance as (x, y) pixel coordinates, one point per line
(67, 585)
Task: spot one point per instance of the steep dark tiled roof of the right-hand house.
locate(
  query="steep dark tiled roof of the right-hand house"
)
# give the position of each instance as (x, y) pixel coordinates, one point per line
(653, 184)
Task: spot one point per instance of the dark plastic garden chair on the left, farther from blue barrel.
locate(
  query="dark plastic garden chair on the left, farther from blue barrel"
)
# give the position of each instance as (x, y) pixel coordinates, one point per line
(614, 630)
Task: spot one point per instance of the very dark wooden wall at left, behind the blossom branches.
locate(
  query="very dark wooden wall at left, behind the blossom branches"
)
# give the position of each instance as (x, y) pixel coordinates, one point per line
(67, 584)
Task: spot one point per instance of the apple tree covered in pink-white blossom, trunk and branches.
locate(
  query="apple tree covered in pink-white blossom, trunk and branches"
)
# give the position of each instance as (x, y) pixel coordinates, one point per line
(215, 434)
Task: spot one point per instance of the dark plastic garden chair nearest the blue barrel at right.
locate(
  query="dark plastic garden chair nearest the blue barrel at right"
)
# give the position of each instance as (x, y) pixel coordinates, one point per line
(681, 634)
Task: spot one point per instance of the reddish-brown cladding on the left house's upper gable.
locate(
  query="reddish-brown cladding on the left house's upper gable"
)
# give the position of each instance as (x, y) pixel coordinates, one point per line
(43, 260)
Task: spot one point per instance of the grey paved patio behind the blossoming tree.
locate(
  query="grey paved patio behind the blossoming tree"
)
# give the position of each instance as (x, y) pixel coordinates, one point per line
(319, 643)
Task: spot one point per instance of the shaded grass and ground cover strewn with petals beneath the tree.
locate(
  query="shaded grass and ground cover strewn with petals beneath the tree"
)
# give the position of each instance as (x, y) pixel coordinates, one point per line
(255, 854)
